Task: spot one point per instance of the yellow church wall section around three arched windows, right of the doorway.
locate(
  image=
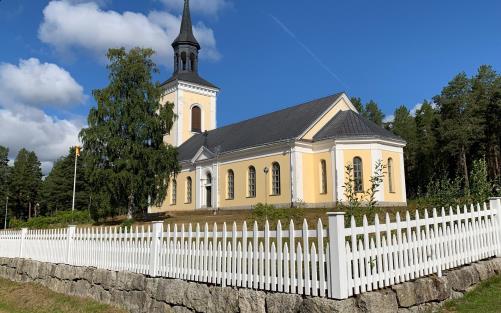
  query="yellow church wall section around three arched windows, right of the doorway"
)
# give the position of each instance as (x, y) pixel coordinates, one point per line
(240, 169)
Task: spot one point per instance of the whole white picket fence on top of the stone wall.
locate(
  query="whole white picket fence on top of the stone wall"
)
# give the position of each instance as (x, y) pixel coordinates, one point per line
(335, 262)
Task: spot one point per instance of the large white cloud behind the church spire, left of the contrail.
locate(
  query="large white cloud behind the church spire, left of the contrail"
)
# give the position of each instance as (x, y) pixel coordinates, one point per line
(71, 26)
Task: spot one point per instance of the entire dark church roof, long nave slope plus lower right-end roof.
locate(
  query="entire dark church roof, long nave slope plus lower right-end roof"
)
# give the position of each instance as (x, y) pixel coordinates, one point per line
(283, 125)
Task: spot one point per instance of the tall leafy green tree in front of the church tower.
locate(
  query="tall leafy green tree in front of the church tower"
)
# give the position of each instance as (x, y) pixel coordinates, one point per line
(129, 163)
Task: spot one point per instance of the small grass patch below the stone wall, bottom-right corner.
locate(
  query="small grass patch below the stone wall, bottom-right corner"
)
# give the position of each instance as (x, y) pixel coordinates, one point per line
(486, 298)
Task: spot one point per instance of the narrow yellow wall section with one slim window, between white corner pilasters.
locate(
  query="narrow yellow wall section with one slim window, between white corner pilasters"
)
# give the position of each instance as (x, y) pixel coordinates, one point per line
(312, 177)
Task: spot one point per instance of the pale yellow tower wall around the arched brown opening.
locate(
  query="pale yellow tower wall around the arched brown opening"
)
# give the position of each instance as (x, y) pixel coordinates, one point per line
(189, 99)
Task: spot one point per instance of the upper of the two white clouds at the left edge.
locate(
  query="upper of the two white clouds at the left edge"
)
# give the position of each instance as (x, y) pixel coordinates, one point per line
(38, 84)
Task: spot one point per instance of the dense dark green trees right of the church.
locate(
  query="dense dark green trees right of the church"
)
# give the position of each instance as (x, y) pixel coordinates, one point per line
(447, 138)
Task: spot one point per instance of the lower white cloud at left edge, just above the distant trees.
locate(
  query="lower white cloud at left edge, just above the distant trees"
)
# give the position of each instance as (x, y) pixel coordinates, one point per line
(31, 128)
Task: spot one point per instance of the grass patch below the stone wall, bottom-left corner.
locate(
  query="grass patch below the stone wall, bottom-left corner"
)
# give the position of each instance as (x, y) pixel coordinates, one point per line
(31, 298)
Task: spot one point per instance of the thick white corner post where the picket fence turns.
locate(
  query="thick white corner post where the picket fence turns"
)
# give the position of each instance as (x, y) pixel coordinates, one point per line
(337, 256)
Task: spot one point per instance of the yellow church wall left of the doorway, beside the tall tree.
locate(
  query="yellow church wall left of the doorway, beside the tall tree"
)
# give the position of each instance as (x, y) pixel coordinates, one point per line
(181, 204)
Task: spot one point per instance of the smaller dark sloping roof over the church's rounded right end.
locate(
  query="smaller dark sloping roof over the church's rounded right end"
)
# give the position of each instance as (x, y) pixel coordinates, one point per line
(349, 124)
